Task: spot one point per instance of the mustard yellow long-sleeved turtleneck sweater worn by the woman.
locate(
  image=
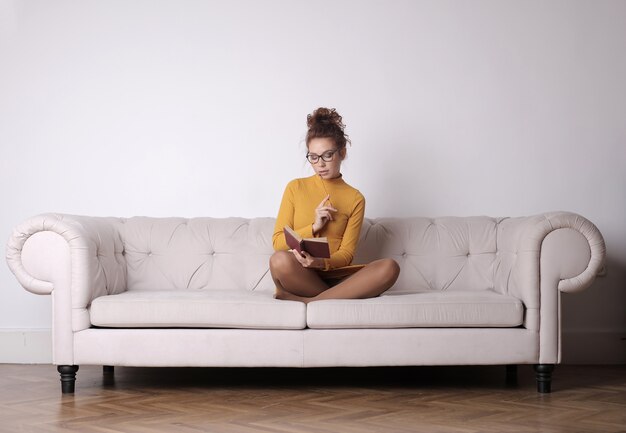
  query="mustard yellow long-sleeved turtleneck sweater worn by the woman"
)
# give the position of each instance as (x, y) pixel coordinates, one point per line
(297, 210)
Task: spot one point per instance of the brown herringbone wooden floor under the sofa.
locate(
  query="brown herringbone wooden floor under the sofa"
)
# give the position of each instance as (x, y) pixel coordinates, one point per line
(338, 400)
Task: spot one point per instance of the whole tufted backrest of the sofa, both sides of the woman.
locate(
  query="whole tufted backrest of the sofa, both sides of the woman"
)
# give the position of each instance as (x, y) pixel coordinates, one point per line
(452, 253)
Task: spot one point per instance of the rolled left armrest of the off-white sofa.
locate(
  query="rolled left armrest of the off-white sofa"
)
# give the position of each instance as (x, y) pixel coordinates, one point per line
(74, 258)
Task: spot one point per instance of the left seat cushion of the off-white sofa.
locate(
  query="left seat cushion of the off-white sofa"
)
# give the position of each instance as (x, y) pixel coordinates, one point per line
(197, 309)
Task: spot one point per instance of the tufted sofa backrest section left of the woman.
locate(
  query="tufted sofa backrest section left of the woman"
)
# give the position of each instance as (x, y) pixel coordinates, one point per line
(196, 253)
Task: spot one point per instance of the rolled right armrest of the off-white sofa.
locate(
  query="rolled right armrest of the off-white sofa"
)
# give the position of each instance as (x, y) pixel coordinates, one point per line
(542, 255)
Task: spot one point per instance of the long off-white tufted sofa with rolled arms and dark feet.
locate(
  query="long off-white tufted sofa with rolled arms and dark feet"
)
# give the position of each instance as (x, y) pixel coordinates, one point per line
(145, 291)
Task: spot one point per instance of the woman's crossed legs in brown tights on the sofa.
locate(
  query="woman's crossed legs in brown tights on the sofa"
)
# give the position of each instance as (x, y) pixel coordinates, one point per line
(297, 283)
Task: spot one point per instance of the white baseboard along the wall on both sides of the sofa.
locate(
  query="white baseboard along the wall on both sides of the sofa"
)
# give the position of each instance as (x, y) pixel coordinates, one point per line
(34, 346)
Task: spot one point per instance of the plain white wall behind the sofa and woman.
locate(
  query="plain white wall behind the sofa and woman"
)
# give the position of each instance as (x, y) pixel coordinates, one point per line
(193, 108)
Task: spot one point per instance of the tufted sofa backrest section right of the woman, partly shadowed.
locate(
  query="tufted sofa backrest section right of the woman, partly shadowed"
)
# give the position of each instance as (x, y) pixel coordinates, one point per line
(448, 253)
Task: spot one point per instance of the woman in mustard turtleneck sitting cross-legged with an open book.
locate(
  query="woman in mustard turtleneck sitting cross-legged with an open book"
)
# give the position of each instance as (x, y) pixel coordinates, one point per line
(325, 205)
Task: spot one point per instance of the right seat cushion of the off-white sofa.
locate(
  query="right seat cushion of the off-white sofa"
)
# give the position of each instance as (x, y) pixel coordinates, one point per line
(425, 309)
